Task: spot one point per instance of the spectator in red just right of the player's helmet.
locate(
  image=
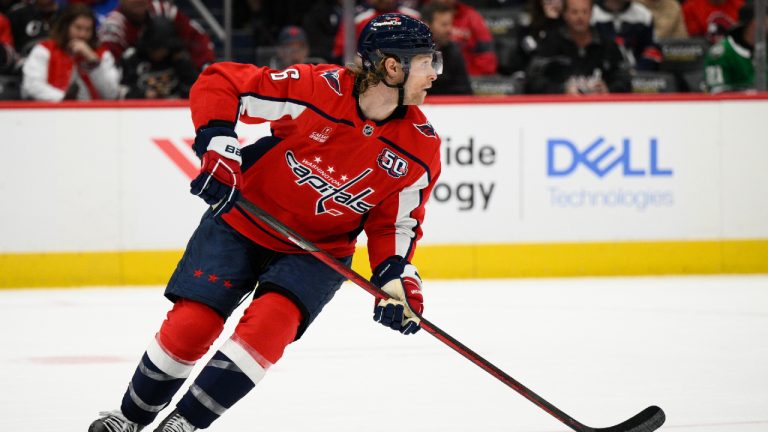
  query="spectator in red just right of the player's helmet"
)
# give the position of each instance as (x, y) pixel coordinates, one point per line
(474, 39)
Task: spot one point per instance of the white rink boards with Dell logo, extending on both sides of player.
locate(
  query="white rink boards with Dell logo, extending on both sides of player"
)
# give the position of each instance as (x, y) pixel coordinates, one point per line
(96, 179)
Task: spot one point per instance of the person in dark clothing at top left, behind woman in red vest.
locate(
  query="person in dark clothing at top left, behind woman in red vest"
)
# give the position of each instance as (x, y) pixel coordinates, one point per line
(31, 23)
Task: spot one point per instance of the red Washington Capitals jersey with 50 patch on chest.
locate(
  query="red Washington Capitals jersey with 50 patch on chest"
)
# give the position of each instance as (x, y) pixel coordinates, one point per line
(329, 173)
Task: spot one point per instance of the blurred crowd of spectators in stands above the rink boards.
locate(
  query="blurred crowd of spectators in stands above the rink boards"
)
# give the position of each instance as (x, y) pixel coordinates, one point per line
(53, 50)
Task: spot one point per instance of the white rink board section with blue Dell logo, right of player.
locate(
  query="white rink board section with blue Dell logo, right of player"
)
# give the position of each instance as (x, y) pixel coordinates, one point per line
(702, 180)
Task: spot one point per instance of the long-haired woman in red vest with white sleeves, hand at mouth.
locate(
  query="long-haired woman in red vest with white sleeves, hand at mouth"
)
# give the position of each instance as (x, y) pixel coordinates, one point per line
(69, 65)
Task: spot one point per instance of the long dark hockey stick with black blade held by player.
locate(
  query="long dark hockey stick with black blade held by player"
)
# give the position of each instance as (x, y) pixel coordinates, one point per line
(647, 420)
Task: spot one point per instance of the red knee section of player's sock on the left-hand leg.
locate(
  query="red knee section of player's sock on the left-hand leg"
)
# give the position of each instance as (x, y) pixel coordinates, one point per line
(189, 330)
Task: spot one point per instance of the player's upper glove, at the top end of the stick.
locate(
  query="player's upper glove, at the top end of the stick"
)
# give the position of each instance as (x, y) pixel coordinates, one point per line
(220, 179)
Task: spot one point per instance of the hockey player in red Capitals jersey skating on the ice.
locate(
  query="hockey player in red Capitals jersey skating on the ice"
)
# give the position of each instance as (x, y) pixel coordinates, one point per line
(349, 152)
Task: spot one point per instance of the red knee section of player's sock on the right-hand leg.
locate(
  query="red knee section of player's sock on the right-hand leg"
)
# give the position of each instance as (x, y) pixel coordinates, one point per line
(269, 325)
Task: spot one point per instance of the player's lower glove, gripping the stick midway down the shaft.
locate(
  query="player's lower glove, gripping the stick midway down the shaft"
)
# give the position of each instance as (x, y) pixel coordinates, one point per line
(399, 279)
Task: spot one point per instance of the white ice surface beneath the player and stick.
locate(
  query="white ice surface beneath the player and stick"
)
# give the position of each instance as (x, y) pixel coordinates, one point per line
(599, 349)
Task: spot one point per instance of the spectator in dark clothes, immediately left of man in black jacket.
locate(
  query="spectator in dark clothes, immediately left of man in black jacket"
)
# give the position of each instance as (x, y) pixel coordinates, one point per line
(546, 16)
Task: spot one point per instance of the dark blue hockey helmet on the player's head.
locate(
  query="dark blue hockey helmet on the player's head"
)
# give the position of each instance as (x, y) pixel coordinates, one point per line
(396, 35)
